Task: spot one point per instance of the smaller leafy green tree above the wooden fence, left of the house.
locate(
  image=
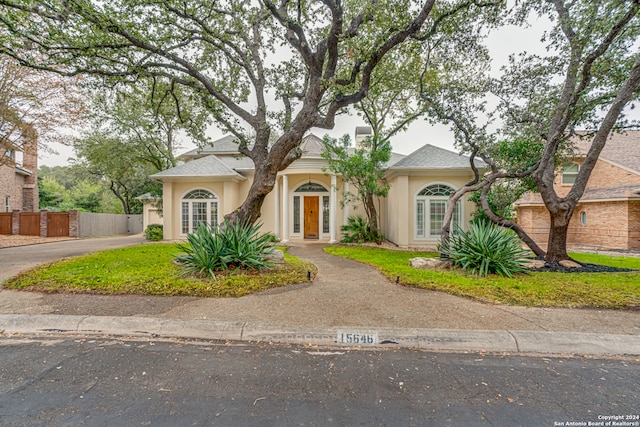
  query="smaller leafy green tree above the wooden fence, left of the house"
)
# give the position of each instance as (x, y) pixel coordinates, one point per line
(134, 134)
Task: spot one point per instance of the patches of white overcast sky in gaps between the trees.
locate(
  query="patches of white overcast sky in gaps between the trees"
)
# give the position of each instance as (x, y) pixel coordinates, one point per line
(501, 43)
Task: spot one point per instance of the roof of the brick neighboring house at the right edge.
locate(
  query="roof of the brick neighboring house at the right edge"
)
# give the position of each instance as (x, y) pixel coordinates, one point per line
(621, 148)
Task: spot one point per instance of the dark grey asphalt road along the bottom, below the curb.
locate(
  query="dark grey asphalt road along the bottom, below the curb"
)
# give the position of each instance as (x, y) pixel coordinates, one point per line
(53, 381)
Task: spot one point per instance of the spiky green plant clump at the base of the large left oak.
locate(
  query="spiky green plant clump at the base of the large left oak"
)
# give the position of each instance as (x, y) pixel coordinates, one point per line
(229, 246)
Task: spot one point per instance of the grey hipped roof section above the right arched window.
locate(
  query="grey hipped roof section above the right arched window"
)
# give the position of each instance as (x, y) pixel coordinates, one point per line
(431, 157)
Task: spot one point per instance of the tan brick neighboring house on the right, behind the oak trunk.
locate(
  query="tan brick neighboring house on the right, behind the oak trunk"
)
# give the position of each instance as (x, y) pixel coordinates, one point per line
(608, 215)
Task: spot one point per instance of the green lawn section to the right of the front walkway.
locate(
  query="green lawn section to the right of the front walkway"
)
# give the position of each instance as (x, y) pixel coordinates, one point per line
(597, 290)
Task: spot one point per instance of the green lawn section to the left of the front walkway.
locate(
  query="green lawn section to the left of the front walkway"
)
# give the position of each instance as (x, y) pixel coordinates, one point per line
(149, 269)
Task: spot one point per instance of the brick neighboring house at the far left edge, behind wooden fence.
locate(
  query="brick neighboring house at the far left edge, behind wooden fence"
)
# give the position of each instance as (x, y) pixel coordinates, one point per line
(18, 174)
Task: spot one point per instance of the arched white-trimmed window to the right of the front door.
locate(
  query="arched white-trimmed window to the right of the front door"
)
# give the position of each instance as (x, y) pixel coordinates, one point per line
(431, 205)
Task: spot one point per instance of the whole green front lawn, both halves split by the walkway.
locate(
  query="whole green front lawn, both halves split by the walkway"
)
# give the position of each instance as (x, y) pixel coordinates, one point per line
(149, 269)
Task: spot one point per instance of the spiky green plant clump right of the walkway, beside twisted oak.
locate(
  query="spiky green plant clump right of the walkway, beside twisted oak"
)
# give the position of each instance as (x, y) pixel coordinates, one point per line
(486, 248)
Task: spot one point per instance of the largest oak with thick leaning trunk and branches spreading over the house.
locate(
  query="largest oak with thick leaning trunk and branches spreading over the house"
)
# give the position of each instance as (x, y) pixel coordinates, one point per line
(316, 58)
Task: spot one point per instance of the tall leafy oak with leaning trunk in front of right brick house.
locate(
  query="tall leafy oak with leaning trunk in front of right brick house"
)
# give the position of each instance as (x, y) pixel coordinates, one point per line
(590, 77)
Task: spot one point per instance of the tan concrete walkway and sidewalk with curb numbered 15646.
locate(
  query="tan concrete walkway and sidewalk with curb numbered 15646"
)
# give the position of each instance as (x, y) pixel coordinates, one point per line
(345, 297)
